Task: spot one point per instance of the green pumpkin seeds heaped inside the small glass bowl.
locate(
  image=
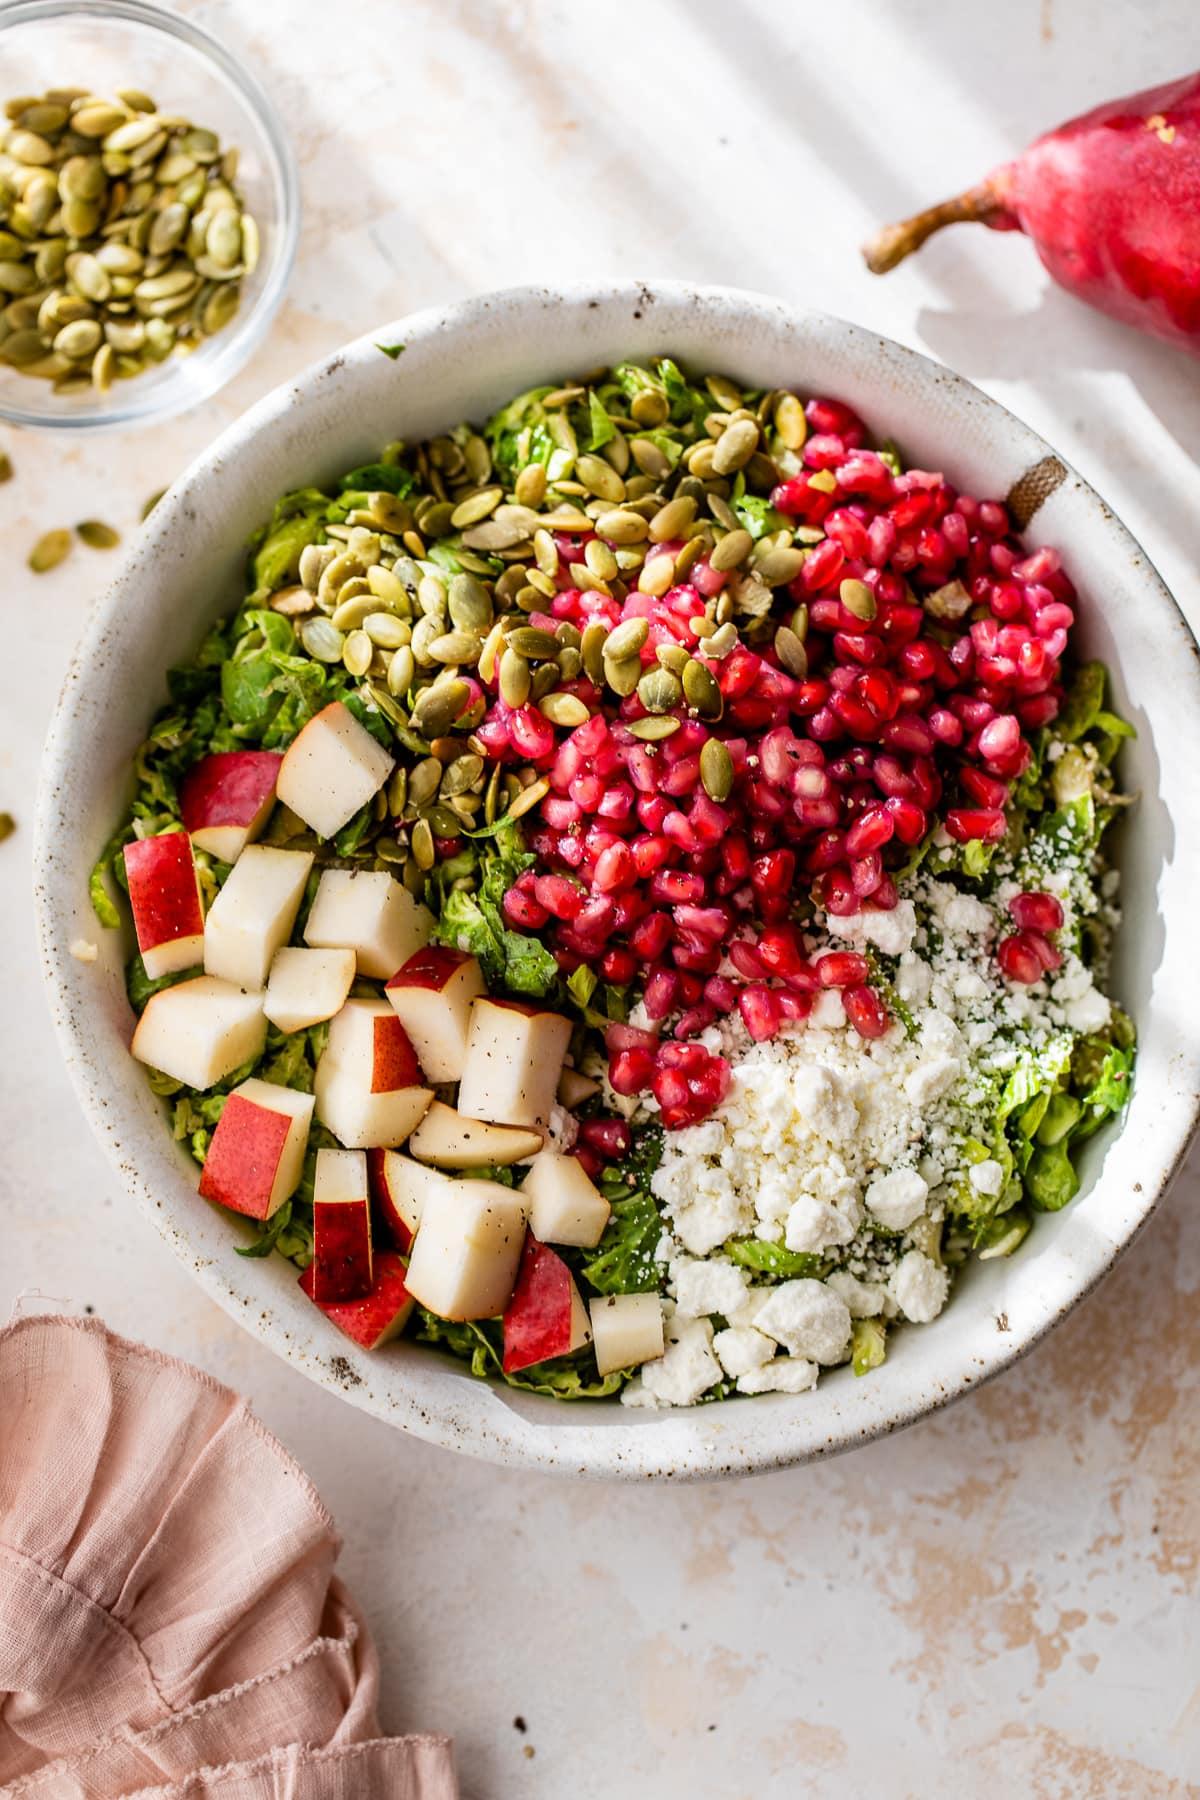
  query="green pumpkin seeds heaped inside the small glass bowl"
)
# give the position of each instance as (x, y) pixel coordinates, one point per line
(123, 237)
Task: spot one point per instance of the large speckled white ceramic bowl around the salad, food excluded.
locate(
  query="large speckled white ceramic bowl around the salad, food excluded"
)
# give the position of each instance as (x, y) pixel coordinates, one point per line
(460, 363)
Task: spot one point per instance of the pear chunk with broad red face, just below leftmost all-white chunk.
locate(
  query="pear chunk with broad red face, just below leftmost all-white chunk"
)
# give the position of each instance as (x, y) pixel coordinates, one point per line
(256, 1156)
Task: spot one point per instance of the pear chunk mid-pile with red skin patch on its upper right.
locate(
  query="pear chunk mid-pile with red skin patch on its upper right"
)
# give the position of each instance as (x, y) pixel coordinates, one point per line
(370, 1086)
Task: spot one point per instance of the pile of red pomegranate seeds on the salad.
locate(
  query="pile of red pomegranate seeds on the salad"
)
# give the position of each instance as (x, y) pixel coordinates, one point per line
(891, 692)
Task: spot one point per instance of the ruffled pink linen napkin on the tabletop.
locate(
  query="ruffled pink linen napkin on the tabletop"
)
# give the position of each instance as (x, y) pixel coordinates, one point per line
(170, 1621)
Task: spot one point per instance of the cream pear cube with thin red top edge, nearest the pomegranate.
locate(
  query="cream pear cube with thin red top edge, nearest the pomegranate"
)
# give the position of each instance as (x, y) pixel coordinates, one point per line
(514, 1063)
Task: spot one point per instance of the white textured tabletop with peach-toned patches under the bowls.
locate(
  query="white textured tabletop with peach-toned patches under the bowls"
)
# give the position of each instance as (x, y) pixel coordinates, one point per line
(1014, 1583)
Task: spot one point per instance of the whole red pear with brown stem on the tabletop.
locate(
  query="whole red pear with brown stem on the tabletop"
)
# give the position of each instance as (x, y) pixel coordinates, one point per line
(1111, 202)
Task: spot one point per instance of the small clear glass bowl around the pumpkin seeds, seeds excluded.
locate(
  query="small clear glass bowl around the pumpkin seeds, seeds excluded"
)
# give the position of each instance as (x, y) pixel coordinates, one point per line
(130, 44)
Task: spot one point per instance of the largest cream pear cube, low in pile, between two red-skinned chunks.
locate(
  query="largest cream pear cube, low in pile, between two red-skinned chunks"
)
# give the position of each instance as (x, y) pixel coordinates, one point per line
(467, 1250)
